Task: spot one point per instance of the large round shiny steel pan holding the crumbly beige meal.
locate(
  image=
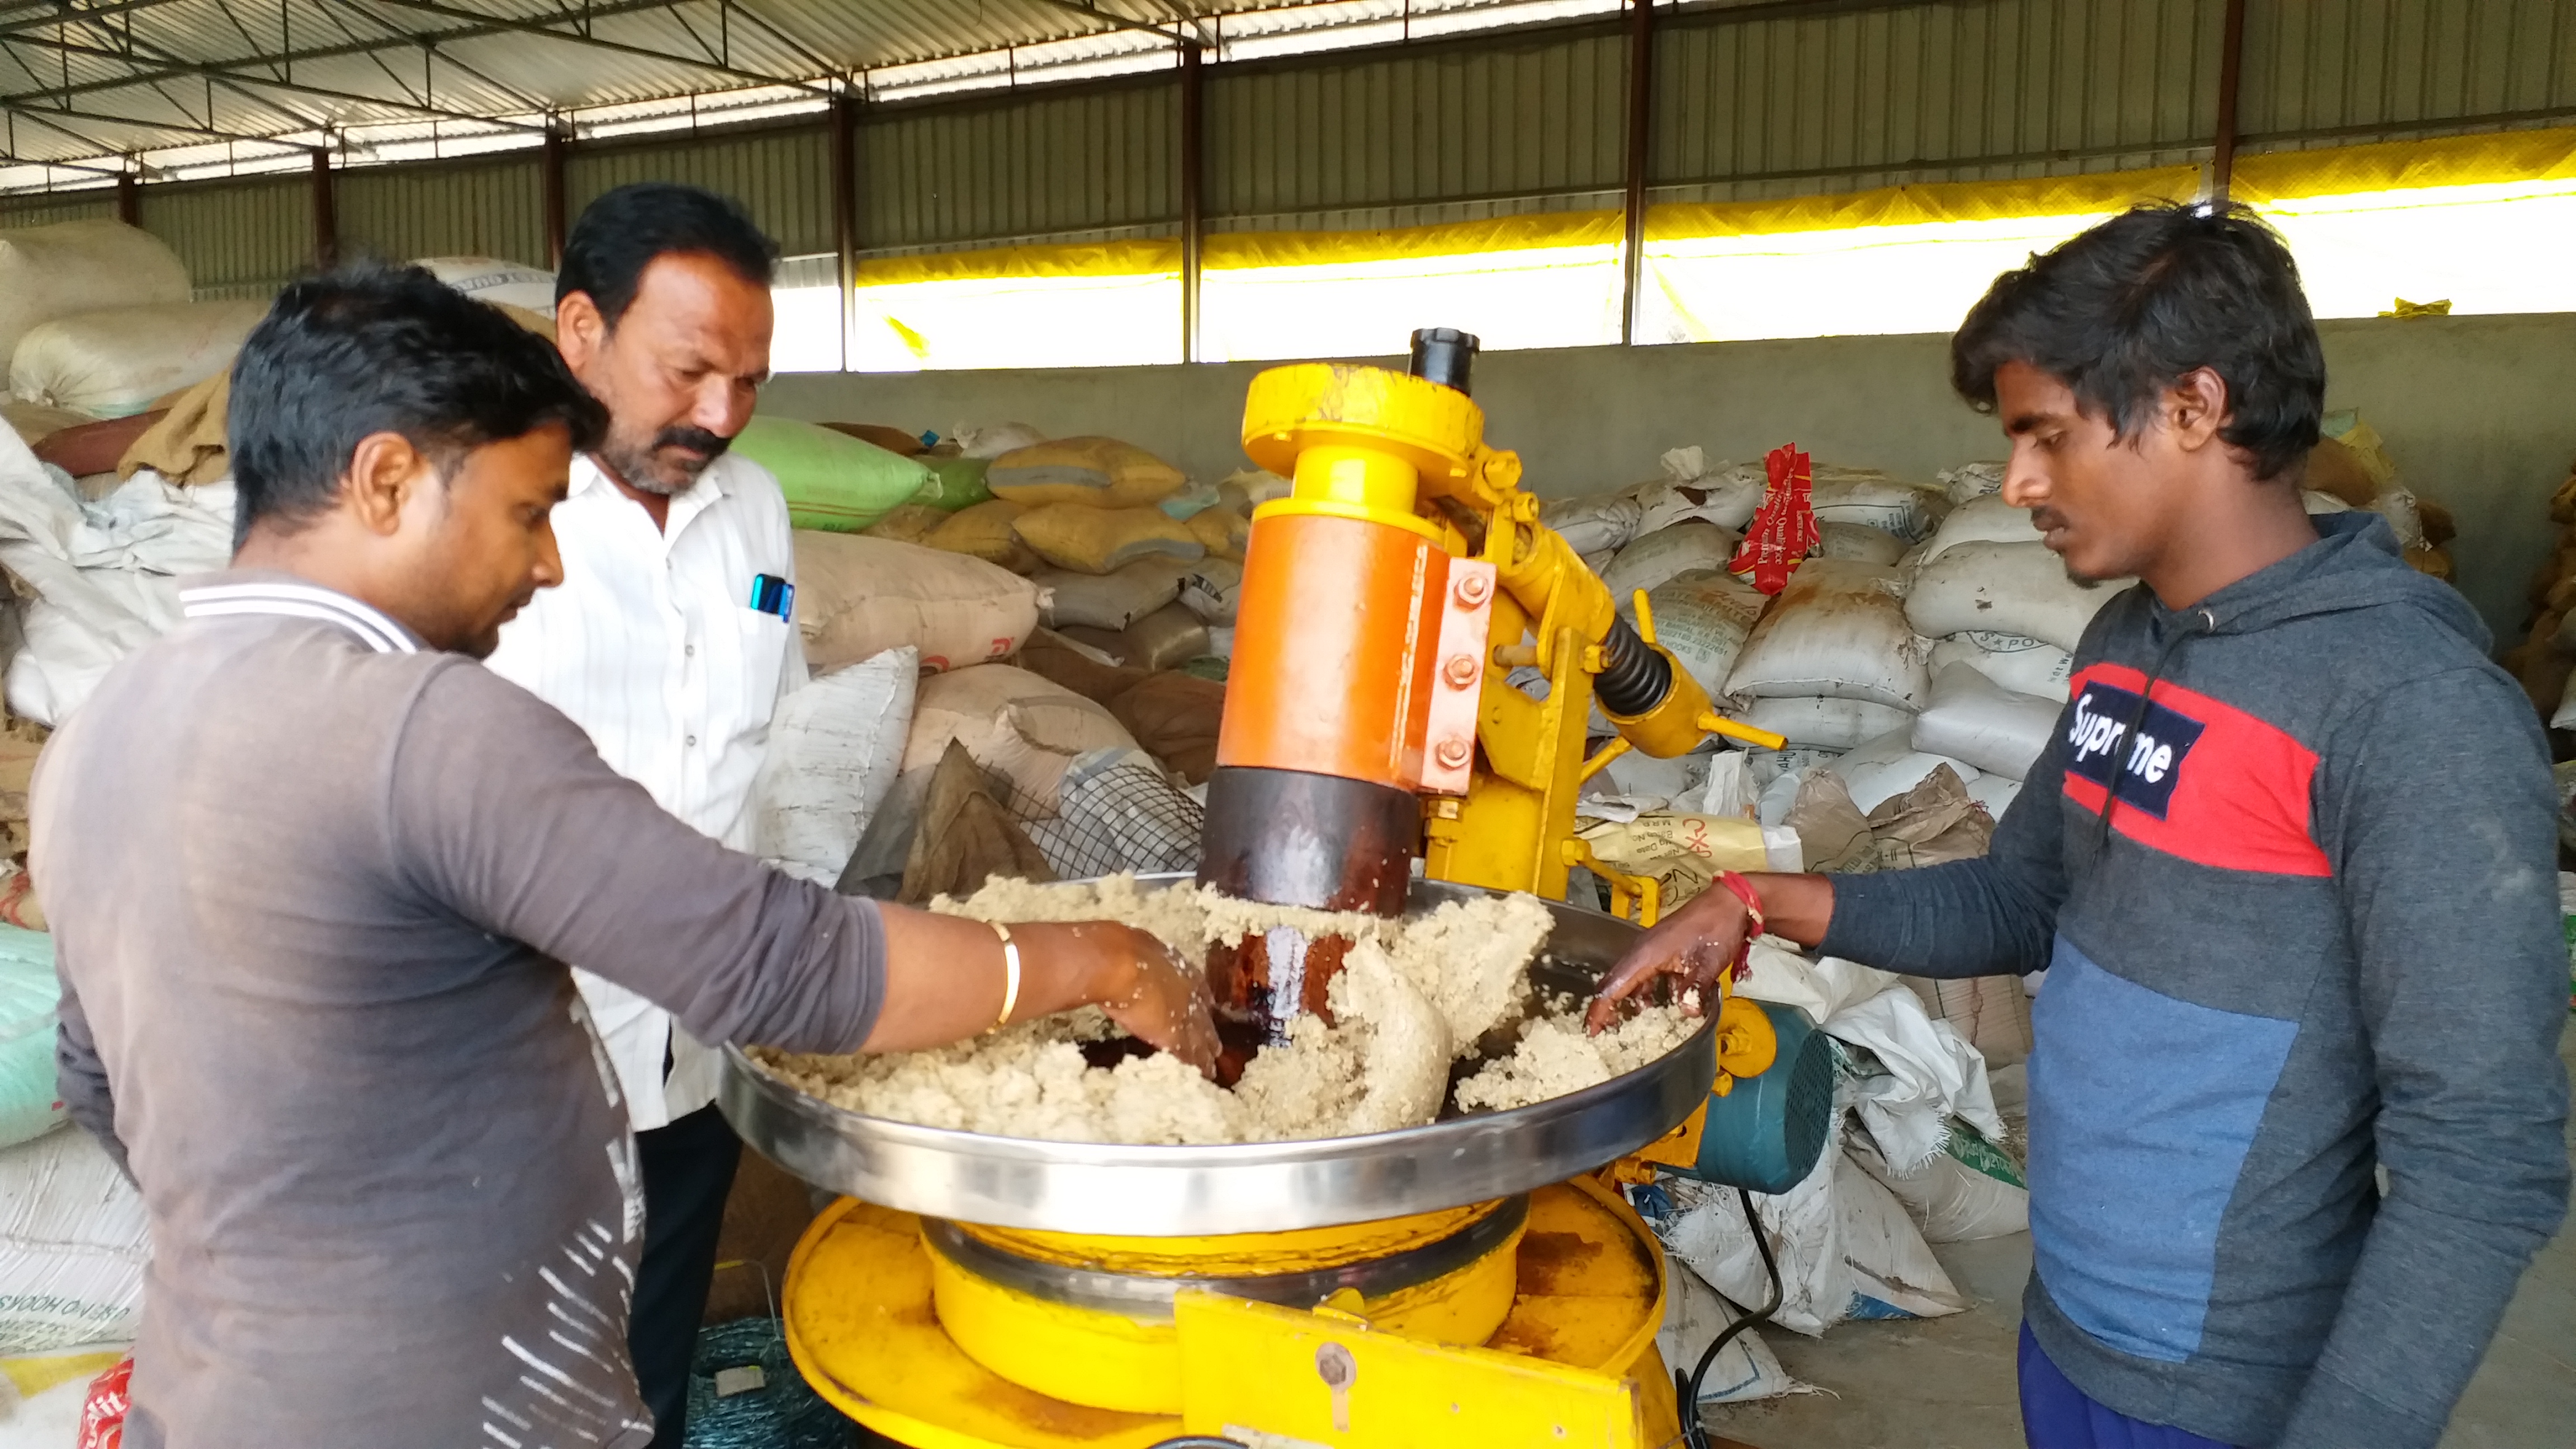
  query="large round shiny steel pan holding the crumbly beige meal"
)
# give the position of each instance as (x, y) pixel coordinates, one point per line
(1264, 1187)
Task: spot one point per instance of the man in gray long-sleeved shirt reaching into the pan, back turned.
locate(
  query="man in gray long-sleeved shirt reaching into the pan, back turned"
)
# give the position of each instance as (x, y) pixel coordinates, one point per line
(316, 873)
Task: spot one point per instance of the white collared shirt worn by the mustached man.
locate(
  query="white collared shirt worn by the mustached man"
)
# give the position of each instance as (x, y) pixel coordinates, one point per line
(656, 651)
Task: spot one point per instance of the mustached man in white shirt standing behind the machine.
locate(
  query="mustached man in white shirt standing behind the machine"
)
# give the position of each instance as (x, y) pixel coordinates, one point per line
(668, 643)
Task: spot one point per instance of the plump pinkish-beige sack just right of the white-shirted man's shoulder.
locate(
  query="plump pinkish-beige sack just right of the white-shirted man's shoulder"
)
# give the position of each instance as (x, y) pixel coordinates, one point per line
(862, 597)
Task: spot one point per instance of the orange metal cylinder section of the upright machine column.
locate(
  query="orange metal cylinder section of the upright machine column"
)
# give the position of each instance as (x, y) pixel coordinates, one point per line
(1336, 638)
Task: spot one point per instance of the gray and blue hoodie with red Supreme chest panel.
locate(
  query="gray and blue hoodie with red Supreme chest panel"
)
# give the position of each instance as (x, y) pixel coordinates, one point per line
(2317, 935)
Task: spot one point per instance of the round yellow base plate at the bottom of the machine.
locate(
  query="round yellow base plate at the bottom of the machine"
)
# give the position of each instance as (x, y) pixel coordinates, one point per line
(864, 1332)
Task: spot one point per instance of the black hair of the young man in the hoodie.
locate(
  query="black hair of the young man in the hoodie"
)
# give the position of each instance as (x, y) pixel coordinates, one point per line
(2129, 308)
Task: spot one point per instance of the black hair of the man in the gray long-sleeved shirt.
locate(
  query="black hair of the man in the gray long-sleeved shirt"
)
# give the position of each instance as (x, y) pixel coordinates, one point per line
(385, 349)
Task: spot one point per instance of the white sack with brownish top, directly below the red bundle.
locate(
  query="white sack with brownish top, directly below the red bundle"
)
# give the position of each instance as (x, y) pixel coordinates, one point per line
(1841, 633)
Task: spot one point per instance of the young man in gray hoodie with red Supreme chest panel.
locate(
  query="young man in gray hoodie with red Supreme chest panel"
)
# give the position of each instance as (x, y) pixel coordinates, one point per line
(2289, 862)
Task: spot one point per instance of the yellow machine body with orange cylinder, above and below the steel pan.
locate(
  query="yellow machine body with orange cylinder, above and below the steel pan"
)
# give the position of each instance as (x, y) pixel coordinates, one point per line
(1385, 605)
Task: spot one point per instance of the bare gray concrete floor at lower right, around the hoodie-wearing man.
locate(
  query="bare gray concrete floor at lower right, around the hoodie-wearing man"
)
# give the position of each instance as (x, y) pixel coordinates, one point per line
(1946, 1383)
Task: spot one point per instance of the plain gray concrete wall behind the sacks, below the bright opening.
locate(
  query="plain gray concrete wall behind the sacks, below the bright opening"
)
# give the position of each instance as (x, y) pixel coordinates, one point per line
(2474, 411)
